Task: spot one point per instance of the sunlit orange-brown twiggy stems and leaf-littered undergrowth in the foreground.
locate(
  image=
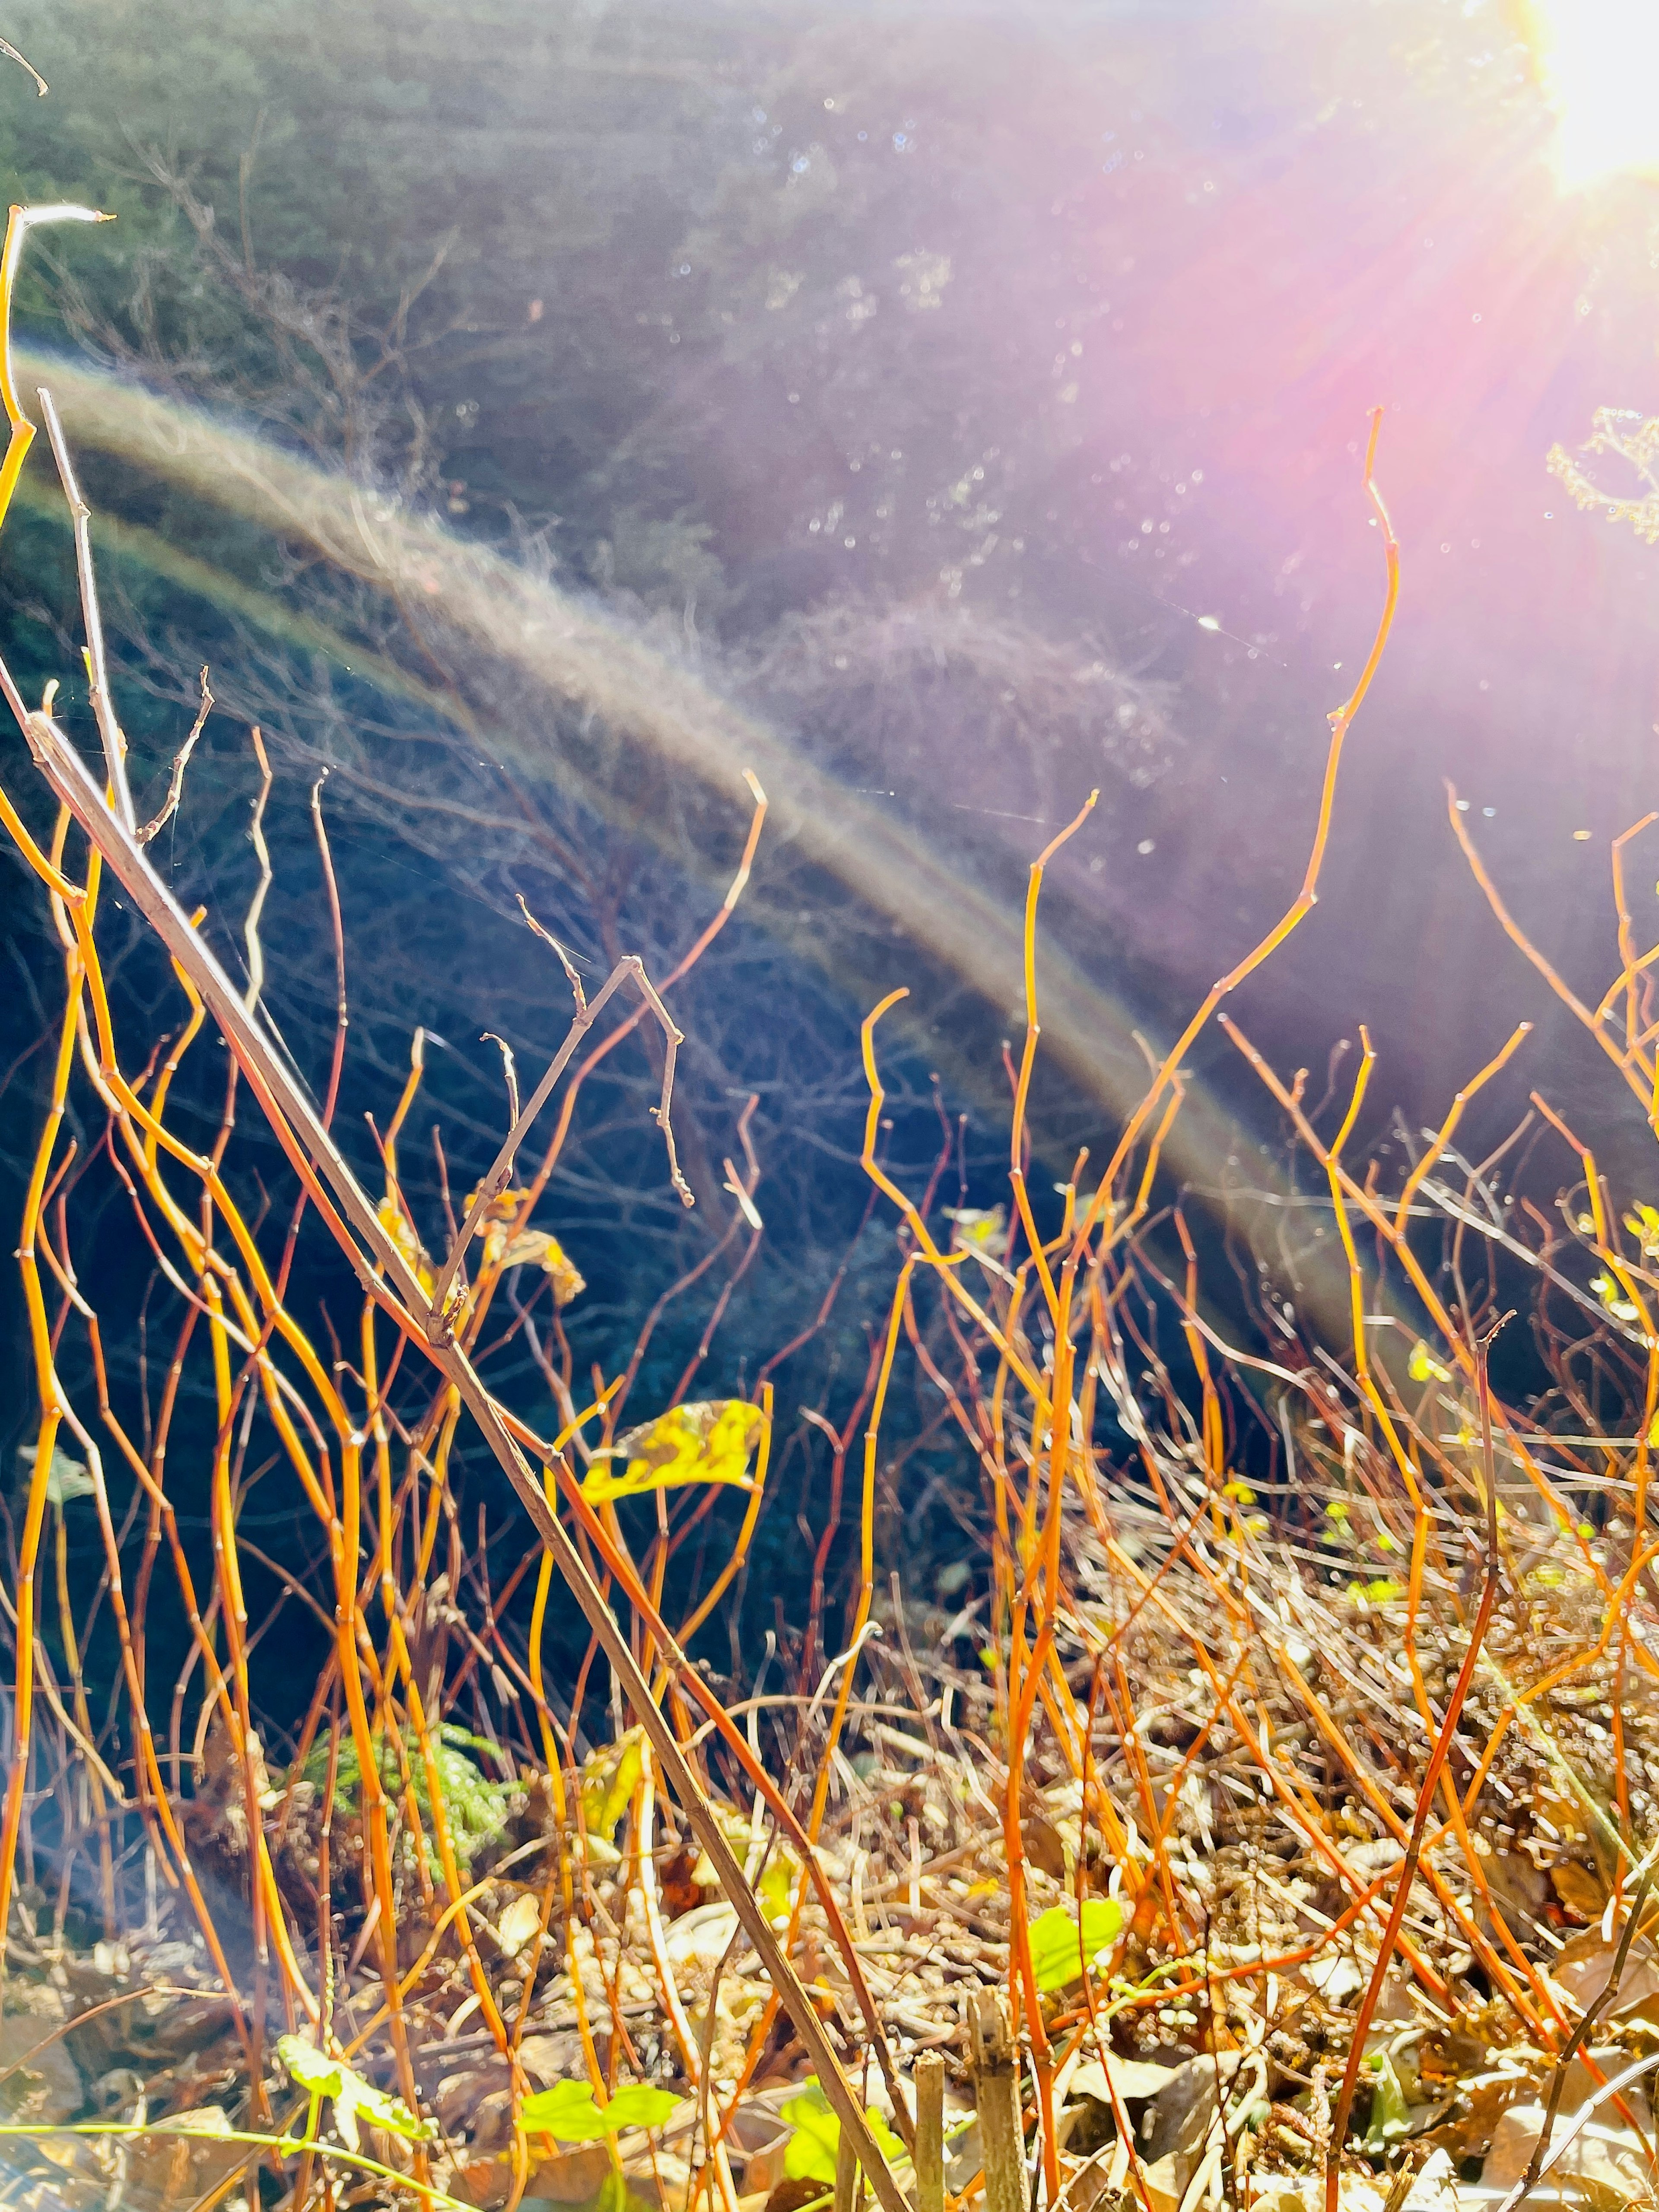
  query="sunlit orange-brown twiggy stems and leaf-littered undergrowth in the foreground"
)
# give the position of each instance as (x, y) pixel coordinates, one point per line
(1260, 1819)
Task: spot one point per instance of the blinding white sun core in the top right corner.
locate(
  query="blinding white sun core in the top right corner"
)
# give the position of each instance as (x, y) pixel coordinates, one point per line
(1600, 65)
